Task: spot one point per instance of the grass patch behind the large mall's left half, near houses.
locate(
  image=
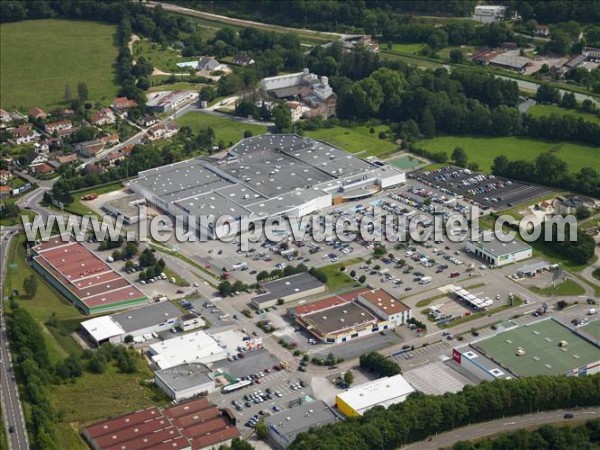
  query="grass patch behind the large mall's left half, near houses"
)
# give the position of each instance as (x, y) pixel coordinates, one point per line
(229, 131)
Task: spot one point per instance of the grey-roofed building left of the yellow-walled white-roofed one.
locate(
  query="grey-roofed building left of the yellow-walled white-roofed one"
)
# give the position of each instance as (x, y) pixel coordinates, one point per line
(284, 426)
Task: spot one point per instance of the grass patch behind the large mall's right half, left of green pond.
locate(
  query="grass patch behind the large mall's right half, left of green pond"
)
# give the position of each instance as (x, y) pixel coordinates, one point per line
(357, 140)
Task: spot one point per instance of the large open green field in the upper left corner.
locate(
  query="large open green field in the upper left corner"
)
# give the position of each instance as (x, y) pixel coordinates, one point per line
(40, 57)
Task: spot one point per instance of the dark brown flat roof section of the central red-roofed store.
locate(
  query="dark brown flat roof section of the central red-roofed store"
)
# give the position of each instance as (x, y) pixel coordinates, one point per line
(339, 318)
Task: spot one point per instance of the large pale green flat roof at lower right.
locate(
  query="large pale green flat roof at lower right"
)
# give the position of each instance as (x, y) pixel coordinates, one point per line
(543, 355)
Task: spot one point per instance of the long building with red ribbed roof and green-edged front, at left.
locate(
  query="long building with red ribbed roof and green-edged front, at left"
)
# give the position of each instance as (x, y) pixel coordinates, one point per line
(82, 277)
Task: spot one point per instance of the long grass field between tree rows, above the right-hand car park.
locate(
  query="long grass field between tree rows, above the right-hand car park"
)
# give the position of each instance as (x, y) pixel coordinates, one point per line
(483, 150)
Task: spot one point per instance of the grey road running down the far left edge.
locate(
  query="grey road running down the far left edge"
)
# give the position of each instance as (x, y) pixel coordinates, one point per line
(11, 406)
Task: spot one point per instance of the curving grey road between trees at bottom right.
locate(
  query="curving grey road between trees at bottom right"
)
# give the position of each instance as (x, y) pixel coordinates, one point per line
(505, 424)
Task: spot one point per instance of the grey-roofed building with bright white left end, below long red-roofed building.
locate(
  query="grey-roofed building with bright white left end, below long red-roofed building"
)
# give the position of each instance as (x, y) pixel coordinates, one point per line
(138, 323)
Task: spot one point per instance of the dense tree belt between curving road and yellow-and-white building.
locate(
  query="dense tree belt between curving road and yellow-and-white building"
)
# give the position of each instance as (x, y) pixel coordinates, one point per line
(423, 415)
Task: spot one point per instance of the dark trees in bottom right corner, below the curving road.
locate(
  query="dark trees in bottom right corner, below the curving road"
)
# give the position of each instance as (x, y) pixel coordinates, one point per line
(564, 437)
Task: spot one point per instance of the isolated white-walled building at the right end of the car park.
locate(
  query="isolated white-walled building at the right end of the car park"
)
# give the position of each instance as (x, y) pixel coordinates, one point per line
(496, 252)
